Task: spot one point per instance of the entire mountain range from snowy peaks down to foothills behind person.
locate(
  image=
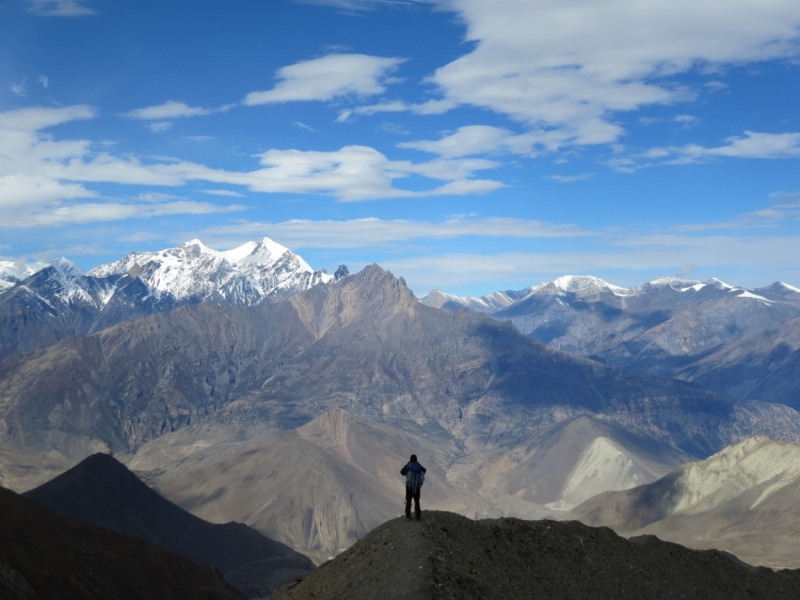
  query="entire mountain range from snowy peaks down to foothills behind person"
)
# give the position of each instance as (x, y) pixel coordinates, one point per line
(247, 387)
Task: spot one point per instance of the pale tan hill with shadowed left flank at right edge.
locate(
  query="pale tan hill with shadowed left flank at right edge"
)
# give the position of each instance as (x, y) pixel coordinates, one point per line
(743, 500)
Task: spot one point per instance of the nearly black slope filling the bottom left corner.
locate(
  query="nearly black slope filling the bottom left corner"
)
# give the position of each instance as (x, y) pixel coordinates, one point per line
(45, 555)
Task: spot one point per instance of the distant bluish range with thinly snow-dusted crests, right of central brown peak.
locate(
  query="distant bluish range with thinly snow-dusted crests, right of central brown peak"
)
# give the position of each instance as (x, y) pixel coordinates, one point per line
(741, 343)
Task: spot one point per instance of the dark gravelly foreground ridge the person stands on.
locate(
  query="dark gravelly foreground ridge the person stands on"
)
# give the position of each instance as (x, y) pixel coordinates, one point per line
(446, 556)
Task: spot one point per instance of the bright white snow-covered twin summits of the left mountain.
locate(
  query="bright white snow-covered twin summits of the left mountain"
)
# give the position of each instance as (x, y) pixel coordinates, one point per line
(249, 274)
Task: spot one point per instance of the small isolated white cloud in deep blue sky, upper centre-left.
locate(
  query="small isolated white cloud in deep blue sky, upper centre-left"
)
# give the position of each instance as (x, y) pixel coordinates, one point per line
(328, 77)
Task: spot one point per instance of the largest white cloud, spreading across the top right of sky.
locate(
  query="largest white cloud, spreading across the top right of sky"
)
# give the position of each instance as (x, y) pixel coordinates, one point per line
(571, 65)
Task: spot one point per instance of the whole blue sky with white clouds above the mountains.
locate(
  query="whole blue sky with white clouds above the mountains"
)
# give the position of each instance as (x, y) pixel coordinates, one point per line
(470, 145)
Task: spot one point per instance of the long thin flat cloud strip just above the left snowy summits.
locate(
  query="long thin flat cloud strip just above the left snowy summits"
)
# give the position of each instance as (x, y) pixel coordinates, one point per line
(370, 232)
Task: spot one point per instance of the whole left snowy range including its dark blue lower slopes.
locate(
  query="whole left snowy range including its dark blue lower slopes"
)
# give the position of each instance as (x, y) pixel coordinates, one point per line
(57, 300)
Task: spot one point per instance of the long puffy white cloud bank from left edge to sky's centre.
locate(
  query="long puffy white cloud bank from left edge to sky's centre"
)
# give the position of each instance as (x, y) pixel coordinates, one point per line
(39, 174)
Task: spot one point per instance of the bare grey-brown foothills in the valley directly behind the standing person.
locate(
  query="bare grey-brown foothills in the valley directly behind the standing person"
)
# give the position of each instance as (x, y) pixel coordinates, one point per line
(323, 486)
